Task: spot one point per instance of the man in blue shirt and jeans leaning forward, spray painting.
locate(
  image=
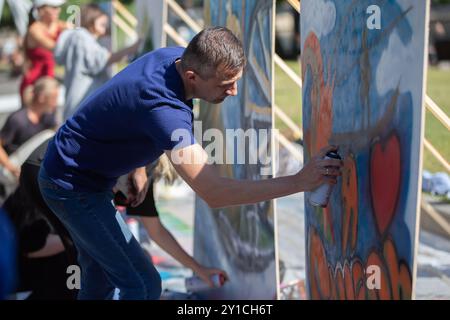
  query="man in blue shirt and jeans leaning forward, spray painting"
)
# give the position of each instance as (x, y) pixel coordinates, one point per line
(127, 124)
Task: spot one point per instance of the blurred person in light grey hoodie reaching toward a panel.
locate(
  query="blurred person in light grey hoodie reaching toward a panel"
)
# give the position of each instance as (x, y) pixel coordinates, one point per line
(84, 59)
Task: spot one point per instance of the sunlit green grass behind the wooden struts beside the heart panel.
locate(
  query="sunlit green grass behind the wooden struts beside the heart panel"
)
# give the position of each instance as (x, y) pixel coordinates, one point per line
(288, 98)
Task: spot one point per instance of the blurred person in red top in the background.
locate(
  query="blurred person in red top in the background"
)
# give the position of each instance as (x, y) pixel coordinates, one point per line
(40, 41)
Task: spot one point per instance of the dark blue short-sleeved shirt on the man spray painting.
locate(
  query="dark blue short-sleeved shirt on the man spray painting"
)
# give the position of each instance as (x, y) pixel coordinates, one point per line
(125, 124)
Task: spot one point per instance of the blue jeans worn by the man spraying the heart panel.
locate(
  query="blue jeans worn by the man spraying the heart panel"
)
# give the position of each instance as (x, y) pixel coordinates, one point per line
(108, 254)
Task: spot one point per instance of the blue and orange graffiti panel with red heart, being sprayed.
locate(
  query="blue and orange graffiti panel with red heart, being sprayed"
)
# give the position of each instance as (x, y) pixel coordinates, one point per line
(363, 68)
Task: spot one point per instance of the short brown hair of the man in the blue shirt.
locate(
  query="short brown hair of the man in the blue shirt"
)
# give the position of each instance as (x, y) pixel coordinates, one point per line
(212, 50)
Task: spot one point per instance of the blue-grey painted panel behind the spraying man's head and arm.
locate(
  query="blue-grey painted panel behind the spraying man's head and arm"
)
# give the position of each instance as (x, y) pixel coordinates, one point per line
(241, 239)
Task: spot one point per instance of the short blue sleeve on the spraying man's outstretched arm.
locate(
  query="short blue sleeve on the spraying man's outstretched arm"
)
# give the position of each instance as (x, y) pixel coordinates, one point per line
(169, 127)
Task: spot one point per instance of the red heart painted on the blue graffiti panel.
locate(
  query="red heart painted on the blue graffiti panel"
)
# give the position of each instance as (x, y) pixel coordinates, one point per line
(385, 166)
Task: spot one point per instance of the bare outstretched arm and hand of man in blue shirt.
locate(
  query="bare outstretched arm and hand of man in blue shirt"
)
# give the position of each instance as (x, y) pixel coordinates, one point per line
(218, 191)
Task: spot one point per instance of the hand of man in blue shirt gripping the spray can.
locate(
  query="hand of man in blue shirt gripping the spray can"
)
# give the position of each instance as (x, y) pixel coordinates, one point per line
(318, 171)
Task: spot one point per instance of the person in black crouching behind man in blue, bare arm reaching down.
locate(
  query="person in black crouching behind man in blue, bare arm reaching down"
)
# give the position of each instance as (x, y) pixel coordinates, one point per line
(45, 247)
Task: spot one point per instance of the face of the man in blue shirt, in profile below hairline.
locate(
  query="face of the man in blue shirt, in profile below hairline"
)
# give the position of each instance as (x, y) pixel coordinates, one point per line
(216, 88)
